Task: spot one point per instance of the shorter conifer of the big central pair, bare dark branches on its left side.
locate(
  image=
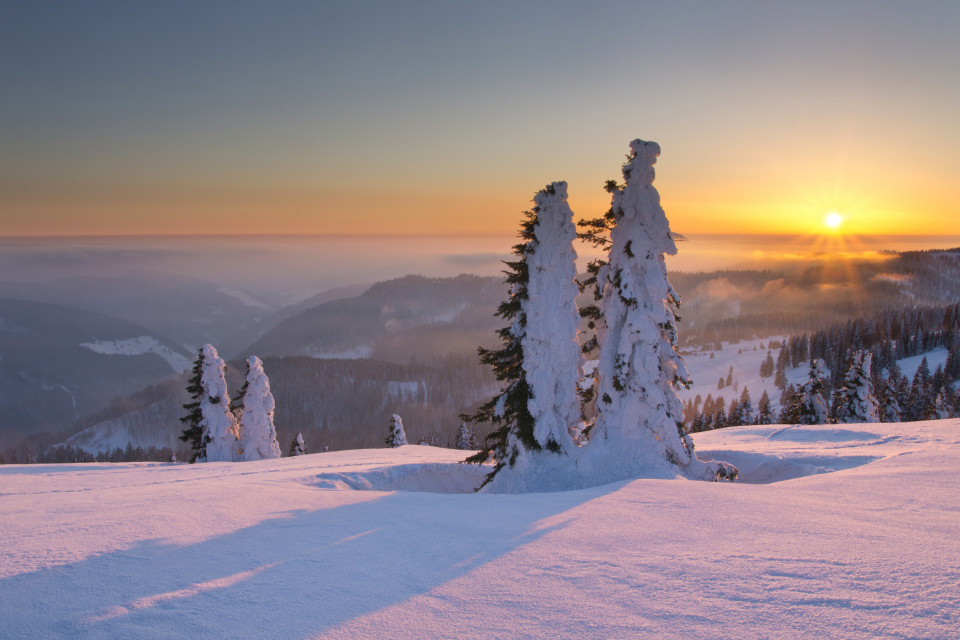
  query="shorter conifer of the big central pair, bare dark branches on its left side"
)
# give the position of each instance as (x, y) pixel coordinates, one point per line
(540, 363)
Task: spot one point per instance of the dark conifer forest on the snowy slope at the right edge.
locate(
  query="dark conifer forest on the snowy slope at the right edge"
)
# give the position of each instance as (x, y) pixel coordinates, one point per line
(861, 356)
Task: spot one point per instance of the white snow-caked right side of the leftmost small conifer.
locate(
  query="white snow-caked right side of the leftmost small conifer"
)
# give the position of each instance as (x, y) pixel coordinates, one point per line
(219, 423)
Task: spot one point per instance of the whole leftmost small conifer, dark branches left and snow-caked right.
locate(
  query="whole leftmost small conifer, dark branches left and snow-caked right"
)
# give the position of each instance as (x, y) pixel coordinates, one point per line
(212, 428)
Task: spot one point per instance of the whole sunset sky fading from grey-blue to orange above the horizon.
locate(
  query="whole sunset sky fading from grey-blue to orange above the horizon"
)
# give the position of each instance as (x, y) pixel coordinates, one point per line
(445, 117)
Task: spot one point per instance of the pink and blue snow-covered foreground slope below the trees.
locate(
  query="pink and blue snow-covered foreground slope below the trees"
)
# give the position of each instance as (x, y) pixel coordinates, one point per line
(839, 532)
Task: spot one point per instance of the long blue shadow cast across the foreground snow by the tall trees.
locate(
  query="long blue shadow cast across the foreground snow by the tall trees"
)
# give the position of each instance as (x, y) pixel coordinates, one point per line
(285, 577)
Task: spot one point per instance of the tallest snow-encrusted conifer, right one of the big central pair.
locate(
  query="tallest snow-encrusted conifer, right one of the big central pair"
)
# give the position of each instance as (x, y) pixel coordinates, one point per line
(639, 416)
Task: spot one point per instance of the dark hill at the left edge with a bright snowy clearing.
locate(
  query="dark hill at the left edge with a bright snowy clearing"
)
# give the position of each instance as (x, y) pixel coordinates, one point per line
(59, 363)
